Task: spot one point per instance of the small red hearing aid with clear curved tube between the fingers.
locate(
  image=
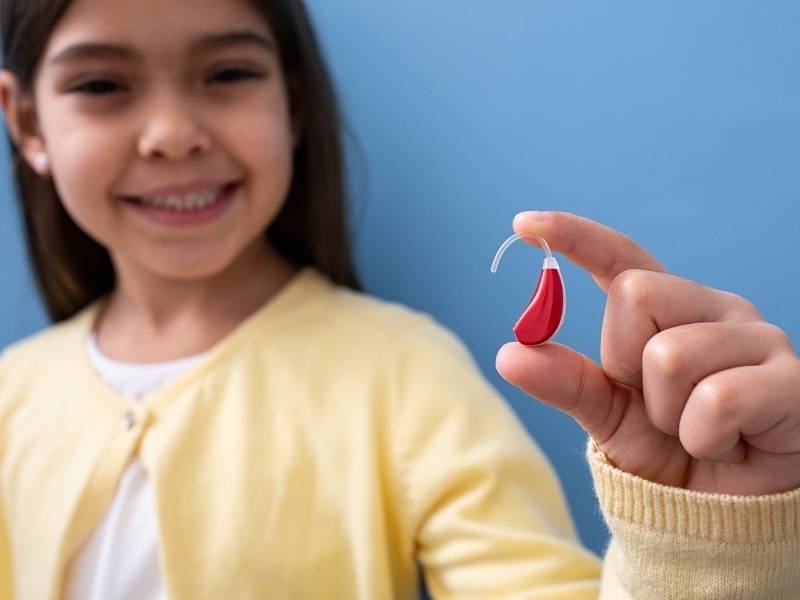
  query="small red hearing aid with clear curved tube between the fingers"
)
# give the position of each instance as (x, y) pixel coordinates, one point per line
(544, 315)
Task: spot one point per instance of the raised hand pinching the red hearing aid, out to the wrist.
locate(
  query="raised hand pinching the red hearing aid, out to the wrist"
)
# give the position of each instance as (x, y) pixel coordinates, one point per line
(695, 390)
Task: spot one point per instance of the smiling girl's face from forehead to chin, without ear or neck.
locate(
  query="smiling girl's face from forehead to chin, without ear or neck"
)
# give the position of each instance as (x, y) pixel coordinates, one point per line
(179, 93)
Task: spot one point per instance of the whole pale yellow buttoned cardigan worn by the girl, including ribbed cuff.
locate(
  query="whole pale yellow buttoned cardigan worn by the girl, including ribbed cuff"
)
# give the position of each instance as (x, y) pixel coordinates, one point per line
(326, 446)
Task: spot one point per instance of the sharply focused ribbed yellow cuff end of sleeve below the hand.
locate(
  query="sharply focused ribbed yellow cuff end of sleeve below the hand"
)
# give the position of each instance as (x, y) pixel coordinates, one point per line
(675, 544)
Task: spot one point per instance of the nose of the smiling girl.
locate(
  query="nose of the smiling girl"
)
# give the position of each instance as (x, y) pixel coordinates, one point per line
(172, 130)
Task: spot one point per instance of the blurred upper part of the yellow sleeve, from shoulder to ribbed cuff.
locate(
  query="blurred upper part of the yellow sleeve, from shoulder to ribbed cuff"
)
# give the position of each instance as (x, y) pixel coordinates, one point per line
(486, 512)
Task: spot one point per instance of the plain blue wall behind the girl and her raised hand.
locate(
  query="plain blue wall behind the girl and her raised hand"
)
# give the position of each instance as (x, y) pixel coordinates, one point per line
(677, 123)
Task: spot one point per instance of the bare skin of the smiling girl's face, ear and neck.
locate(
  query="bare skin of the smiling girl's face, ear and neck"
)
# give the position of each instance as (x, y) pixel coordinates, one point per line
(173, 115)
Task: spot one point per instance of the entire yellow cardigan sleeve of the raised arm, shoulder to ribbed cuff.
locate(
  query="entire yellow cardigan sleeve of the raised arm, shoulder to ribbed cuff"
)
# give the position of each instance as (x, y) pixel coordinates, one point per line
(489, 520)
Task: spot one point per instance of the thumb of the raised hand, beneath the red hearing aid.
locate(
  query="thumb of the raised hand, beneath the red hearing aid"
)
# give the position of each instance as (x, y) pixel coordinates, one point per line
(566, 380)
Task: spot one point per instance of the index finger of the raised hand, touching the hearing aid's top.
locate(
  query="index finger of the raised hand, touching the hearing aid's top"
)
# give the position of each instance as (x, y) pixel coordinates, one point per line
(604, 252)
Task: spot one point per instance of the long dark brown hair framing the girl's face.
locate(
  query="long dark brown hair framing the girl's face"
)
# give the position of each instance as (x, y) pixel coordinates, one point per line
(72, 270)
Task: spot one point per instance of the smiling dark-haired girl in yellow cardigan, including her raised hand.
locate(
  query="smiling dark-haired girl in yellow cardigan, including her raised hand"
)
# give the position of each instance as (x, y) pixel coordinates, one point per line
(219, 412)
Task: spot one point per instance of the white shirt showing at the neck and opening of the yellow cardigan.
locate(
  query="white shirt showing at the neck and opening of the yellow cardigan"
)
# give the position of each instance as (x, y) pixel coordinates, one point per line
(121, 560)
